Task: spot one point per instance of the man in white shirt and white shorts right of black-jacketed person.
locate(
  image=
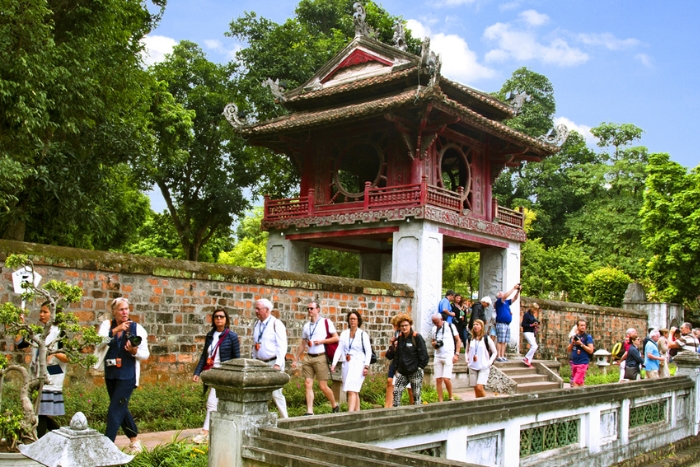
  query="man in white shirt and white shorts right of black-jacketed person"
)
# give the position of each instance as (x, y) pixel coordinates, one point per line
(446, 343)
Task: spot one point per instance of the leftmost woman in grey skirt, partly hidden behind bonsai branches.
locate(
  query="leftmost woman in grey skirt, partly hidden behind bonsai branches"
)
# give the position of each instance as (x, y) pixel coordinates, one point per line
(51, 404)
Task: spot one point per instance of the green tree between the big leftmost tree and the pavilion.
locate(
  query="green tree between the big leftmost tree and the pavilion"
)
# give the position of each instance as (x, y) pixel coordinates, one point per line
(201, 173)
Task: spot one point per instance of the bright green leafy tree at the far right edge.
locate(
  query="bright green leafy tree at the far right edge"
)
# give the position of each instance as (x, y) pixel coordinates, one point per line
(670, 219)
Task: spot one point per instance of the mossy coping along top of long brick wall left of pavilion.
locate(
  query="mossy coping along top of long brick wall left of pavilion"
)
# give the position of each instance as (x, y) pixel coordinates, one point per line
(65, 257)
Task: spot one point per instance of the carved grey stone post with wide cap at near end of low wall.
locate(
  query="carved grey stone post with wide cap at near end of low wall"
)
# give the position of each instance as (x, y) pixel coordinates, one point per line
(244, 388)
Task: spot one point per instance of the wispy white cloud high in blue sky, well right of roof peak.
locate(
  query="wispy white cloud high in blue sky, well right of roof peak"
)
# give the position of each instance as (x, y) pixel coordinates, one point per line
(524, 46)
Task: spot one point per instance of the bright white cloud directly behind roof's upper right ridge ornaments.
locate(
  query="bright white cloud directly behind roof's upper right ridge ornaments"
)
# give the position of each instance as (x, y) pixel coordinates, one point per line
(458, 61)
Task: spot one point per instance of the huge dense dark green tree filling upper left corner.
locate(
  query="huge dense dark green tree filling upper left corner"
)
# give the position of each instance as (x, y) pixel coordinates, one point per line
(72, 91)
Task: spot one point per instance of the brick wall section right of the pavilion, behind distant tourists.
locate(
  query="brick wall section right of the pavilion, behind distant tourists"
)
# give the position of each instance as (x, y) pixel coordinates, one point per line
(606, 325)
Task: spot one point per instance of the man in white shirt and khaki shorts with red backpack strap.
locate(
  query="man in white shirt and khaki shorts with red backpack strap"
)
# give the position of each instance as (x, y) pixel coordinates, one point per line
(316, 333)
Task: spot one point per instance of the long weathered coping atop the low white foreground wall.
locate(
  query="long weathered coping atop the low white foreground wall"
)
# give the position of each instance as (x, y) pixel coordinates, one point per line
(382, 424)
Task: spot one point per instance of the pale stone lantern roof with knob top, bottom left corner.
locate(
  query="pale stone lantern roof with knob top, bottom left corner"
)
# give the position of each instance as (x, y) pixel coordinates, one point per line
(75, 446)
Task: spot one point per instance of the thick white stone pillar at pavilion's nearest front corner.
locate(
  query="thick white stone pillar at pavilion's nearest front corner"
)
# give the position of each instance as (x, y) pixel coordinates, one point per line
(417, 262)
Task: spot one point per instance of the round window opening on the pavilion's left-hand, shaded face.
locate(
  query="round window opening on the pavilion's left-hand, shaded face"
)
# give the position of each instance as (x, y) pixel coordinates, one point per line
(360, 163)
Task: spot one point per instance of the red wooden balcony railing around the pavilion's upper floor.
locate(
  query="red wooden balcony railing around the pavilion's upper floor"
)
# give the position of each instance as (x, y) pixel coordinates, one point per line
(381, 198)
